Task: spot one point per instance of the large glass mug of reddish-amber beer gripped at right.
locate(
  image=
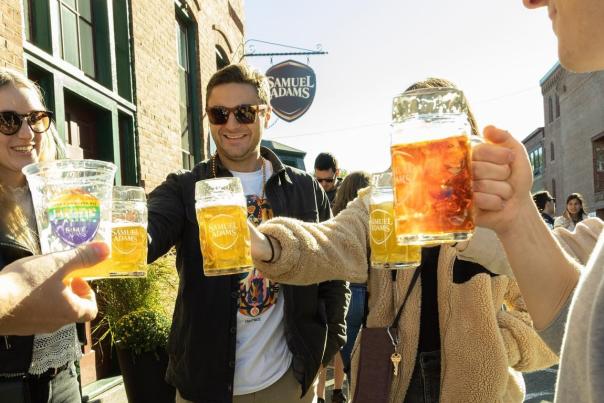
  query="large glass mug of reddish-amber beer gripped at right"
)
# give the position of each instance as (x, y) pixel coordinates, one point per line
(431, 167)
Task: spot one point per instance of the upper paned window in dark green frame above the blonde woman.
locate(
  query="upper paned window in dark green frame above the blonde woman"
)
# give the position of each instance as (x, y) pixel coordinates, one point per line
(77, 38)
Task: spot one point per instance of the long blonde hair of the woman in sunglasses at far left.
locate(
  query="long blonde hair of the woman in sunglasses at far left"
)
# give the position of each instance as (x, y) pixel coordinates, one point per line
(13, 219)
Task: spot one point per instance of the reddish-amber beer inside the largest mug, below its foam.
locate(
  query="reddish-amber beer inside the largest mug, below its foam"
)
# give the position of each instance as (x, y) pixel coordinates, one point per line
(433, 186)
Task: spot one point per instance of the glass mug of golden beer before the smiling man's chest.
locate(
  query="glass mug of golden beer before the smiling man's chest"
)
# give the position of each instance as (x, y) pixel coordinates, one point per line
(223, 232)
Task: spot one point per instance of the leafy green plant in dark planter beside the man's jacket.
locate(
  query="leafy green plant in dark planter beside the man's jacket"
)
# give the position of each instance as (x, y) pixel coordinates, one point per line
(146, 302)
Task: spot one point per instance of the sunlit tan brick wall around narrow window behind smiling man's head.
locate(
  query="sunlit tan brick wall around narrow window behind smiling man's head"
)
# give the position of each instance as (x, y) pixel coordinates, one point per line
(156, 75)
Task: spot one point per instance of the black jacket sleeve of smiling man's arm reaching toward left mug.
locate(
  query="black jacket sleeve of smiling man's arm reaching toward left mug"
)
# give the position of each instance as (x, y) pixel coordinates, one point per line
(166, 217)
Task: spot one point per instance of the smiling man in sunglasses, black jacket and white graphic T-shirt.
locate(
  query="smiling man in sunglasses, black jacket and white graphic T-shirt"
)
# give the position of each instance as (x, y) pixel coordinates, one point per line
(244, 338)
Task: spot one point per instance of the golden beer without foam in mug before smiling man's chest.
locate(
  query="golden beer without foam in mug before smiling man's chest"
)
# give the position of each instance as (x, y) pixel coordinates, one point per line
(225, 239)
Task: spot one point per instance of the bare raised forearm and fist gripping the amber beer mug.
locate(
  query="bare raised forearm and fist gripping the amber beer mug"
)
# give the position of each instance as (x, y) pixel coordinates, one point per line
(545, 274)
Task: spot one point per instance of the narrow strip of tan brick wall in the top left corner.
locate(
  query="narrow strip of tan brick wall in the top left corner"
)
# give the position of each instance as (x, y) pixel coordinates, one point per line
(11, 42)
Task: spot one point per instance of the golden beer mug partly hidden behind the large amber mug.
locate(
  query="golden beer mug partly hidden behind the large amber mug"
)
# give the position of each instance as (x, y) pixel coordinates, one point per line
(386, 253)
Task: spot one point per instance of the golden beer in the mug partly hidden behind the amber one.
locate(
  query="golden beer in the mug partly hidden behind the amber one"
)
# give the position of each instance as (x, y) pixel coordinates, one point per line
(386, 253)
